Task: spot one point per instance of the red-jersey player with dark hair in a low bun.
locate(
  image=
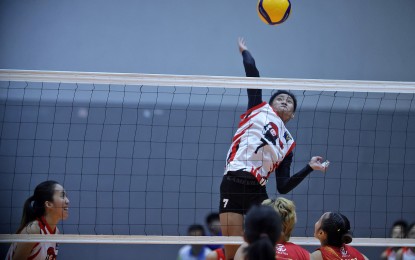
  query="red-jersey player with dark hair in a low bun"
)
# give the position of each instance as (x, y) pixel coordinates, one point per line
(333, 231)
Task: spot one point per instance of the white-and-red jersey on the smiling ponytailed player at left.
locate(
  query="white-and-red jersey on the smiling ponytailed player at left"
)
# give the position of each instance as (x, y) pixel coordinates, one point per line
(40, 251)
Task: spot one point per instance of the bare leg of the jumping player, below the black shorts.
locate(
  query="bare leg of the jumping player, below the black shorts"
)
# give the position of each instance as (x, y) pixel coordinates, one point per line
(231, 225)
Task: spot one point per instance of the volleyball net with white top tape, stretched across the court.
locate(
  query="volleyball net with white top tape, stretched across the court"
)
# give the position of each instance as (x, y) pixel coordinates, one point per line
(142, 156)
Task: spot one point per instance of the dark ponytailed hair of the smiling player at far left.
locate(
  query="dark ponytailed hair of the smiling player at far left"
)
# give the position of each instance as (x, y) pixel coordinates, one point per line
(43, 192)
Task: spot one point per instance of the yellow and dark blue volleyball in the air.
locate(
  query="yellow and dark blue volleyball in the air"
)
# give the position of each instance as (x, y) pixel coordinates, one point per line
(274, 12)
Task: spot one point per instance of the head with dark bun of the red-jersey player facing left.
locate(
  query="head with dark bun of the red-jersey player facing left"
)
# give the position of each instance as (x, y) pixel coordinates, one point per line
(333, 229)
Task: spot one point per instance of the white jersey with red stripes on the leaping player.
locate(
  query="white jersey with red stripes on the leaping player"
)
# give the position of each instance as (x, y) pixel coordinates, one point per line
(260, 143)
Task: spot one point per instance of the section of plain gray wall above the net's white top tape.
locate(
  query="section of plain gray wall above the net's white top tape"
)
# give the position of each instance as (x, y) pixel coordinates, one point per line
(371, 40)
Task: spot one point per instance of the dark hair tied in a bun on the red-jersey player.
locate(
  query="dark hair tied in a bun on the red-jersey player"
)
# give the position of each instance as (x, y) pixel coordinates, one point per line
(337, 227)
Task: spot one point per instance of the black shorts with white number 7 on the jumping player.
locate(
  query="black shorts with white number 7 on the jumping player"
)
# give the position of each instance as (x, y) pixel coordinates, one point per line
(239, 191)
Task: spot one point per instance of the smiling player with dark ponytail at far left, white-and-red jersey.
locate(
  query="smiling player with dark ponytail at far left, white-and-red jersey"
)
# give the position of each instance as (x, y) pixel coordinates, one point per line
(41, 213)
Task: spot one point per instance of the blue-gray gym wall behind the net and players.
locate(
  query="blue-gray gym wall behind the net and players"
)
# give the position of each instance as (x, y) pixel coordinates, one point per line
(322, 39)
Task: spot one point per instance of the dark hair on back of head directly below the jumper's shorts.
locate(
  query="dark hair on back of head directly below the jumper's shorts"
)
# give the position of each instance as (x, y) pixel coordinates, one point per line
(262, 231)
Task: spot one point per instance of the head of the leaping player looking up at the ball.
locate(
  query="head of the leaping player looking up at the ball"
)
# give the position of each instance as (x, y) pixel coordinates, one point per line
(284, 103)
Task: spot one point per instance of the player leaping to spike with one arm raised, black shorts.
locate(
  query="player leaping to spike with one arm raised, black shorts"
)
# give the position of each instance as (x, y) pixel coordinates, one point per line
(261, 145)
